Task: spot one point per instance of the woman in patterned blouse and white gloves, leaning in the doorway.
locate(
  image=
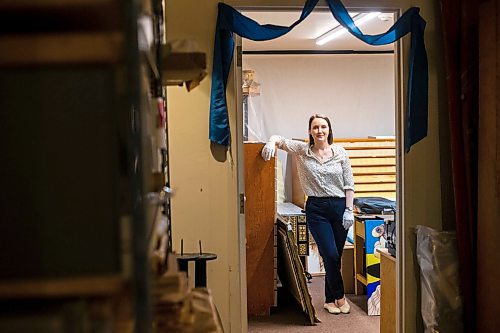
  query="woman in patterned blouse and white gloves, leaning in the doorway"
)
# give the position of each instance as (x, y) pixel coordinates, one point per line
(326, 178)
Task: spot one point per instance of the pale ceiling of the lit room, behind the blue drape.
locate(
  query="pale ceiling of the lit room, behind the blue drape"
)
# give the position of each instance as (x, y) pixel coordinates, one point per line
(303, 36)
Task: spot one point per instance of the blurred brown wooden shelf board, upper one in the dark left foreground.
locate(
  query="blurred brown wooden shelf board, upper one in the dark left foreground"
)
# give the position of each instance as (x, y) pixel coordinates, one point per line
(60, 49)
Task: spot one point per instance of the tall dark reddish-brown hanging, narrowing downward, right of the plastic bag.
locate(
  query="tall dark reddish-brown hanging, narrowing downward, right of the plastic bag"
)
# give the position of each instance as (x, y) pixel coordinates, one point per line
(461, 50)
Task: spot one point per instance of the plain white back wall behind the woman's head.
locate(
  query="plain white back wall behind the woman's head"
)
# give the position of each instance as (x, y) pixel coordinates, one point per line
(355, 91)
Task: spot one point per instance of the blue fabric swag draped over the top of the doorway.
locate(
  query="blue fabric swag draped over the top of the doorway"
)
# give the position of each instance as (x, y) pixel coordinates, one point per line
(230, 21)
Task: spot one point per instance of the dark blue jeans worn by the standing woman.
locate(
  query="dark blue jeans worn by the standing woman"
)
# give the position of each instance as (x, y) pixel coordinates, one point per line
(324, 218)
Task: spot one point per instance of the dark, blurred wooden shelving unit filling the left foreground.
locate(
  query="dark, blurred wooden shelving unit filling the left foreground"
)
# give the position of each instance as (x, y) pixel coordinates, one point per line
(84, 136)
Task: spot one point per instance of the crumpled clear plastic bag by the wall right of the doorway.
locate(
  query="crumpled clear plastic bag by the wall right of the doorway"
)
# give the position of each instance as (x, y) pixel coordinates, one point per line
(439, 277)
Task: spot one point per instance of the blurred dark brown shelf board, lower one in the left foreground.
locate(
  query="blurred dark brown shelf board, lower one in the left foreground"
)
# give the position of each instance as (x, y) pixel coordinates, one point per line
(88, 286)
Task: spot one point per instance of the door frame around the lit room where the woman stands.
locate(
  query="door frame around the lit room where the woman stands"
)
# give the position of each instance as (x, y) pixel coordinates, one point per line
(401, 53)
